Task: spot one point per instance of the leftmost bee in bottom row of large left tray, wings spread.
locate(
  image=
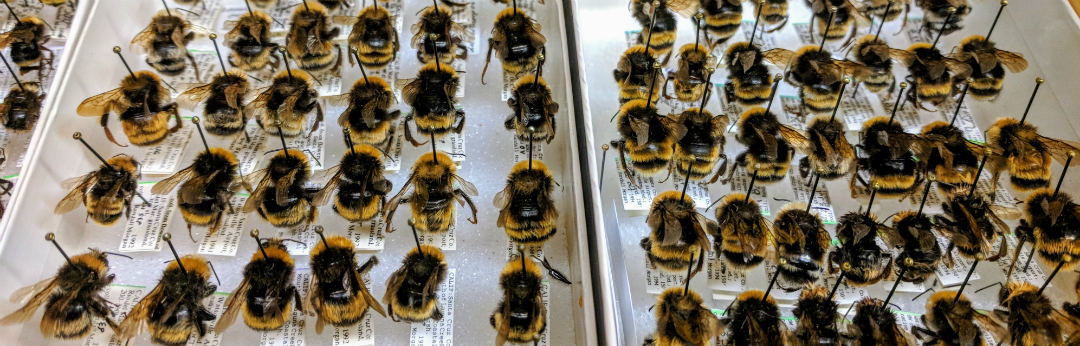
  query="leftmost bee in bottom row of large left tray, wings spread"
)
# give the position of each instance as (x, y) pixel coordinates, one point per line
(73, 298)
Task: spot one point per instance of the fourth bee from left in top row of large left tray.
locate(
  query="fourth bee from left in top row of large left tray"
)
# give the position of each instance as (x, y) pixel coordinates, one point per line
(373, 36)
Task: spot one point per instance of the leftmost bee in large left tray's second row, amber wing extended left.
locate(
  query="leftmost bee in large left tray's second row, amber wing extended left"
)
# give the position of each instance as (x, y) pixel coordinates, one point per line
(143, 105)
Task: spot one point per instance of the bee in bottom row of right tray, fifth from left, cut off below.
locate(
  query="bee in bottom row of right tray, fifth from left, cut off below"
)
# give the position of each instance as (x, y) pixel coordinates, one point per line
(951, 321)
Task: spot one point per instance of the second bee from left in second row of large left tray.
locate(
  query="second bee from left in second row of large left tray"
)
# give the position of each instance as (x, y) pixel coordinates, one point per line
(225, 102)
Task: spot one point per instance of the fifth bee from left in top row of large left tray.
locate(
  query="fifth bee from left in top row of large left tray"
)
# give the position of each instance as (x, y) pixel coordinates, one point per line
(449, 37)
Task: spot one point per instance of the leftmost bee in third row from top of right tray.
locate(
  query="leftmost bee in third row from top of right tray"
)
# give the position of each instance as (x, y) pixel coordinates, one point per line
(647, 138)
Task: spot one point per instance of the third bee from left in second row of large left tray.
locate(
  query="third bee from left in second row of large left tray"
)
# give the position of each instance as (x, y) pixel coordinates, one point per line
(283, 108)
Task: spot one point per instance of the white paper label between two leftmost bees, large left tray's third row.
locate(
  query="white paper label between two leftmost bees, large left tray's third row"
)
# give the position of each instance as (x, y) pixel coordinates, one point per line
(147, 223)
